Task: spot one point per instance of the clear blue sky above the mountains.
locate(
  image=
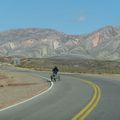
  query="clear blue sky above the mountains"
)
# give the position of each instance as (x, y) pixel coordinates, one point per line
(68, 16)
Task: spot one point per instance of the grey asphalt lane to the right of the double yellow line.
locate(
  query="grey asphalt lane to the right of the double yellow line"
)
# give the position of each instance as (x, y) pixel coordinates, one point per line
(109, 105)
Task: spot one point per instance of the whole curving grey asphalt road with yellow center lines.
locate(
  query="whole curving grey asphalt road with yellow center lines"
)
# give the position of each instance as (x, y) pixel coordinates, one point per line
(68, 98)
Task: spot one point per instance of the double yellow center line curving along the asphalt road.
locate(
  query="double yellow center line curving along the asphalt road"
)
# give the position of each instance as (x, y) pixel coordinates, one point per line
(92, 104)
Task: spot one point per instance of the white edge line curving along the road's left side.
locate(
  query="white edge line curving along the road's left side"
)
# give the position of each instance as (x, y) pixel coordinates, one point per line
(31, 97)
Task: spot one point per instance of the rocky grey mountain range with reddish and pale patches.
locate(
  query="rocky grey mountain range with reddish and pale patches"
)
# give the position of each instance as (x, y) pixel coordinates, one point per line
(101, 44)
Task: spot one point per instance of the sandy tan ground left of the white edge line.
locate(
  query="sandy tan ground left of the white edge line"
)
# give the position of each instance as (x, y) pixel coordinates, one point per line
(16, 87)
